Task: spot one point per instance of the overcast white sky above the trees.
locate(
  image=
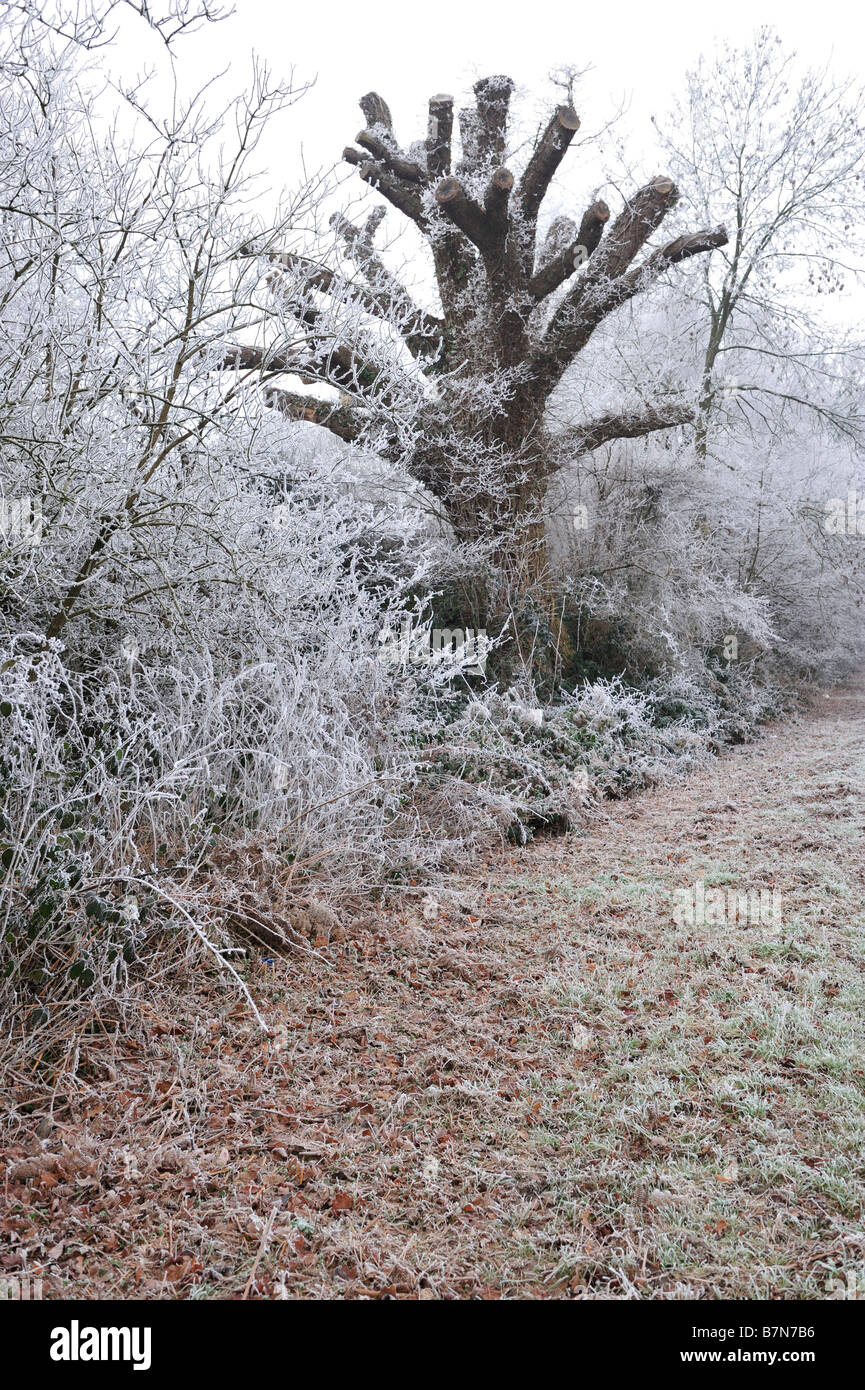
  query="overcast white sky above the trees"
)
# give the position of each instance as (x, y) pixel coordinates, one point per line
(407, 52)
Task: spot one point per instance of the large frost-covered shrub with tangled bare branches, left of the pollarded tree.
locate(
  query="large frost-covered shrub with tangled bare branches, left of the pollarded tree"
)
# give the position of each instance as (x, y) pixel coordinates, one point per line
(194, 714)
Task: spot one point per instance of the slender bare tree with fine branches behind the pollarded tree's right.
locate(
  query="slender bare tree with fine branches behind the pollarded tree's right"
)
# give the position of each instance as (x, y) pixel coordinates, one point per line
(784, 161)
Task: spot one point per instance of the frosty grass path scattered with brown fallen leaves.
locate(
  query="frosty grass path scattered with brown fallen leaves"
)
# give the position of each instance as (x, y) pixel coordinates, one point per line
(531, 1084)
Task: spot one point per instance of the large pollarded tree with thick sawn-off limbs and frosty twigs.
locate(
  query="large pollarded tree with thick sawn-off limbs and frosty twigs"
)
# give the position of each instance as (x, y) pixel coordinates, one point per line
(464, 407)
